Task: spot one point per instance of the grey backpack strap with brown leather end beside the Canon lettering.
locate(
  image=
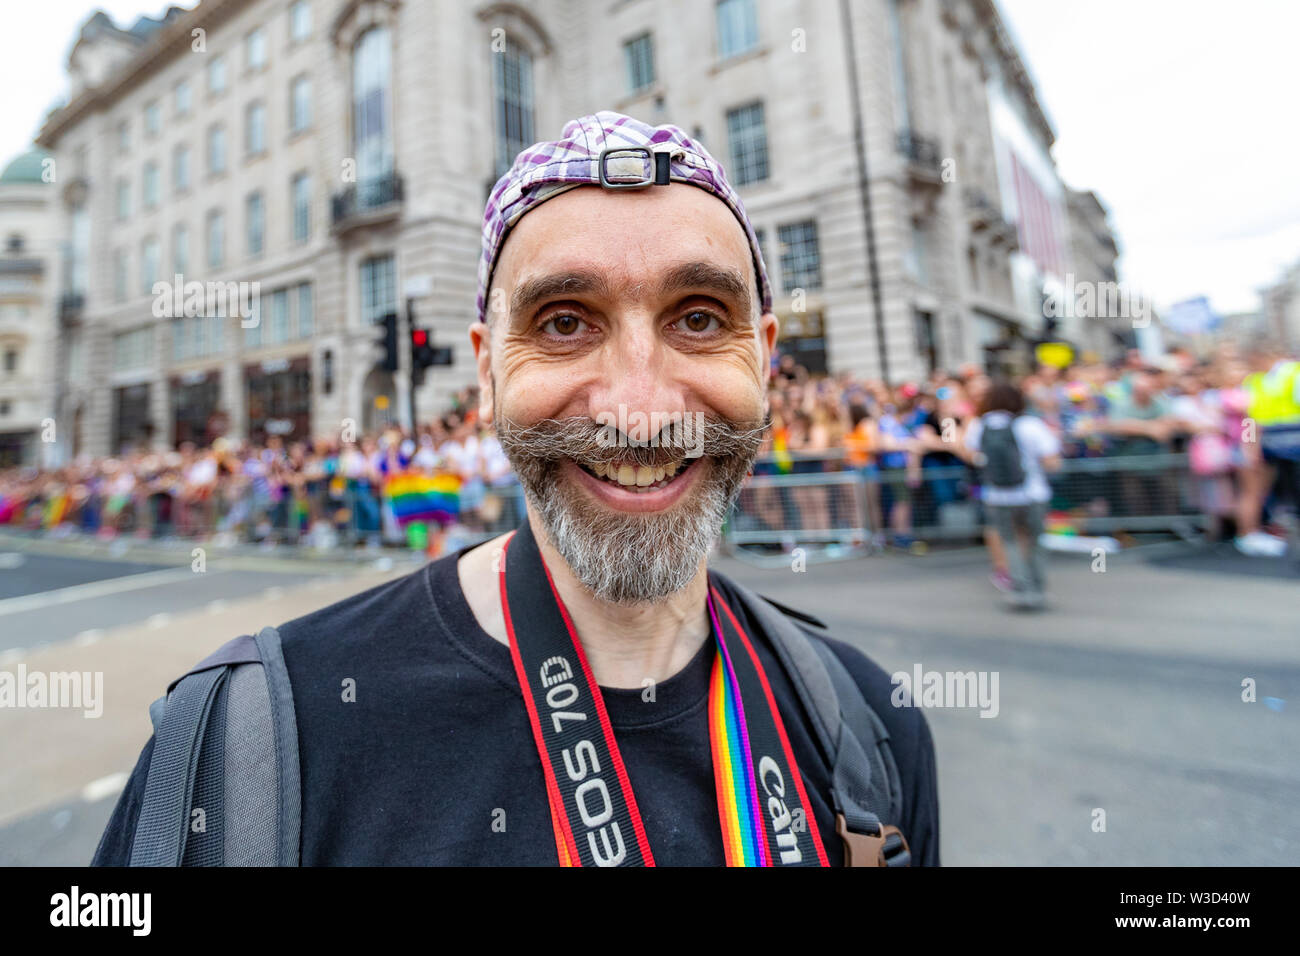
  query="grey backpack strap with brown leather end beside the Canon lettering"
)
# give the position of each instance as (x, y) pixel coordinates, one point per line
(865, 781)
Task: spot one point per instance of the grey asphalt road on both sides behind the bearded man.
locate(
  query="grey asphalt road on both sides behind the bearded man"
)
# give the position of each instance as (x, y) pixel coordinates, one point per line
(1124, 698)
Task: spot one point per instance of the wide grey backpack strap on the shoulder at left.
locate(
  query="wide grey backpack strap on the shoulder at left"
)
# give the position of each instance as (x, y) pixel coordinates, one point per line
(227, 745)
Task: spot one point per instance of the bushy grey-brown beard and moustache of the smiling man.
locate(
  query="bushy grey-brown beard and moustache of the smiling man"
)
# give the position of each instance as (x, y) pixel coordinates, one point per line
(630, 559)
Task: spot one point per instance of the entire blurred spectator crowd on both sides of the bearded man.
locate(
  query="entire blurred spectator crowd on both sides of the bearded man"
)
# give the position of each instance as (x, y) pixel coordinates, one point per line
(912, 440)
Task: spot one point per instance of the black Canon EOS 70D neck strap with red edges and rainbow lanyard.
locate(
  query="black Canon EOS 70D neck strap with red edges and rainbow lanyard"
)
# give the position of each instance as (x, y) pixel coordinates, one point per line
(764, 808)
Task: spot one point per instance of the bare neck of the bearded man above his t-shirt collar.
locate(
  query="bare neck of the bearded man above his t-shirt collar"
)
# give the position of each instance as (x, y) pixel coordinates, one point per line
(625, 646)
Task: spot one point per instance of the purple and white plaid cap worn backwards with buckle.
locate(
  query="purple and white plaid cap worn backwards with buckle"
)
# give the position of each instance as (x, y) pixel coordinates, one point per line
(614, 152)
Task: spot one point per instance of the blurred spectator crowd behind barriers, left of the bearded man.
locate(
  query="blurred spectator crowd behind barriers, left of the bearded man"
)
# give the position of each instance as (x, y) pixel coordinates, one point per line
(328, 491)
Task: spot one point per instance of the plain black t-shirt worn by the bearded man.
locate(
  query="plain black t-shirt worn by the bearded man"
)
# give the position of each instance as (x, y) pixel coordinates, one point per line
(435, 760)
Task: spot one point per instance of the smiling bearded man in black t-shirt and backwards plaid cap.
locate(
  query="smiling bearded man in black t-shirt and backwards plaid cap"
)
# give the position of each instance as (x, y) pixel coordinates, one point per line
(584, 691)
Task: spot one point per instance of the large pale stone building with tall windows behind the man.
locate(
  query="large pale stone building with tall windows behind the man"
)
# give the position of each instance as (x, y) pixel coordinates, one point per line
(335, 157)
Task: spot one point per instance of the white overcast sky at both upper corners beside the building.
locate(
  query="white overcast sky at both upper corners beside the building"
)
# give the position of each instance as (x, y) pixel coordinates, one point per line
(1180, 114)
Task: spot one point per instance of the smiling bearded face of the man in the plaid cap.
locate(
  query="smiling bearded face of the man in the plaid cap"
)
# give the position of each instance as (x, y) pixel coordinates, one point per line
(617, 305)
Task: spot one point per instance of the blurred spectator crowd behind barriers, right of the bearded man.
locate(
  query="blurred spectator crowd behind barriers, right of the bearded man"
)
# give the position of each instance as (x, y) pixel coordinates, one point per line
(912, 442)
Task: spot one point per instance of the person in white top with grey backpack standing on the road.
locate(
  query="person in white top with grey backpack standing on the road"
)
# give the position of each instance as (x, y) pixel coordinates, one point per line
(1015, 453)
